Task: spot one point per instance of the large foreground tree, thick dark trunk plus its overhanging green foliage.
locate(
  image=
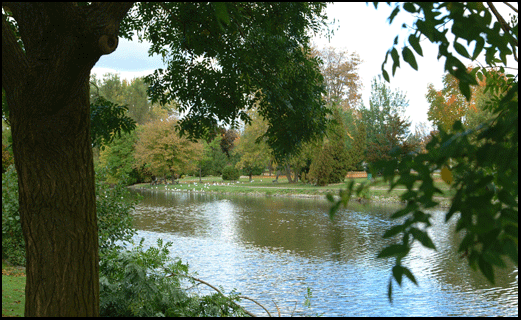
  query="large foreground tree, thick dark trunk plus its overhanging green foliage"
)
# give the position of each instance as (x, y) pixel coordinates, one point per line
(221, 58)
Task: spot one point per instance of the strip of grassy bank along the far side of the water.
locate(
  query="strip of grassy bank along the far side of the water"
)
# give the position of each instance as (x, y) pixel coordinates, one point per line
(264, 186)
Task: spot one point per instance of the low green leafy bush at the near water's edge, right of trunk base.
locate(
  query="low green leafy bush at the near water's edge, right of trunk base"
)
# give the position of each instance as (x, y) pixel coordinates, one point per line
(141, 283)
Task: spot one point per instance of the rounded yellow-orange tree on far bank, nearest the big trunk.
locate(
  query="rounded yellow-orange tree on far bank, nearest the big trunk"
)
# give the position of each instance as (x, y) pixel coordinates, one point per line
(163, 152)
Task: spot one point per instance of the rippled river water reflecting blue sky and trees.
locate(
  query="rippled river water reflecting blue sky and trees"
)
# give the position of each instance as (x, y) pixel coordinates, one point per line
(274, 248)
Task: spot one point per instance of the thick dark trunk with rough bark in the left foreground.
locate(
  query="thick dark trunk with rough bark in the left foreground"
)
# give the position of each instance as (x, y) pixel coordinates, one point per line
(47, 91)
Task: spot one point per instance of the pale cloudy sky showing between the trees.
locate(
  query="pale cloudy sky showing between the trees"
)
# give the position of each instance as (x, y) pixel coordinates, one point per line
(359, 27)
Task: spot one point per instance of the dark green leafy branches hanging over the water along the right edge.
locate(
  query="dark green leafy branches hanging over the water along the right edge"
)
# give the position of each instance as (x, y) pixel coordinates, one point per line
(483, 171)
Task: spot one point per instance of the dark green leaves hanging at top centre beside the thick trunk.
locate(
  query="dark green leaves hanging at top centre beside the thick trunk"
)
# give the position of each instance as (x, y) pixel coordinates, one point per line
(224, 58)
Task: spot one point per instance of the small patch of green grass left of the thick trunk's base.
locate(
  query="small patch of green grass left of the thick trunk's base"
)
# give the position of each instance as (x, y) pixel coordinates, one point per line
(13, 291)
